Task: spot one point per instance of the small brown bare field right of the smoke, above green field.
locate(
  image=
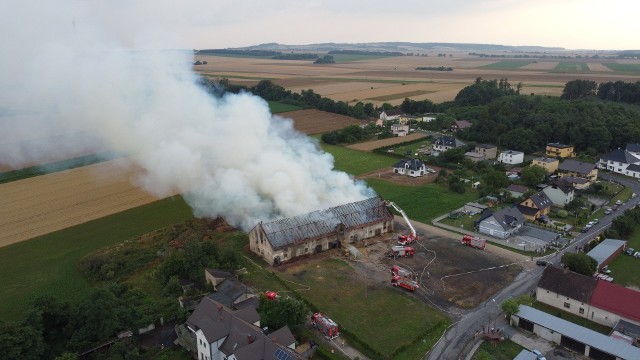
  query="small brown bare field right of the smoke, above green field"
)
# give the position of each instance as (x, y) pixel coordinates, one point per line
(316, 122)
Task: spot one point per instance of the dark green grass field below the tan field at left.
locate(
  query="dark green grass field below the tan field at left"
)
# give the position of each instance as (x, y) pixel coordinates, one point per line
(48, 265)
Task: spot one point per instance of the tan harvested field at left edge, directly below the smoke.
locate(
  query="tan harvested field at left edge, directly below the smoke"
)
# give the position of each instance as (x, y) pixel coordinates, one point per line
(43, 204)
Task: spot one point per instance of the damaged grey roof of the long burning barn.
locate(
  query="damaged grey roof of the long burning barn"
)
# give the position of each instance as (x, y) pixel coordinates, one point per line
(321, 223)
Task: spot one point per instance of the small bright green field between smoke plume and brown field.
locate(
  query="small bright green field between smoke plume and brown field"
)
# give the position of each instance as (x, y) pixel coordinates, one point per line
(357, 162)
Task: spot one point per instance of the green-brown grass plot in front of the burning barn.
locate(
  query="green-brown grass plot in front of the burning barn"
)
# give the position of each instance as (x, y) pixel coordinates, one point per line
(365, 310)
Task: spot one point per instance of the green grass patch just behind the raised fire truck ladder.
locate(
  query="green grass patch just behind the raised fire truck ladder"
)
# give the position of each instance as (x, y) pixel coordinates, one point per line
(422, 203)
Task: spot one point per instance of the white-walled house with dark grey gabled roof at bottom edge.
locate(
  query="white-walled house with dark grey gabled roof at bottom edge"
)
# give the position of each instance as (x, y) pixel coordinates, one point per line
(221, 333)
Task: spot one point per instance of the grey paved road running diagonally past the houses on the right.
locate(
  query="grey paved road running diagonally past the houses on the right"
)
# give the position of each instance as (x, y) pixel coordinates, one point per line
(453, 344)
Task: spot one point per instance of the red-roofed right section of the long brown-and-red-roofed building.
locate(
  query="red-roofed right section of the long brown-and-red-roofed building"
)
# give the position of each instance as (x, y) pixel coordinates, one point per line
(611, 303)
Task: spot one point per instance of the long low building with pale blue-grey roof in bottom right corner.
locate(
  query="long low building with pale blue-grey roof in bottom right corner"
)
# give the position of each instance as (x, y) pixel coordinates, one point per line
(577, 338)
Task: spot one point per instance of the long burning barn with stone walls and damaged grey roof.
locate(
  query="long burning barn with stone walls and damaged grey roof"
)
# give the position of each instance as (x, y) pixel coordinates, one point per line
(282, 240)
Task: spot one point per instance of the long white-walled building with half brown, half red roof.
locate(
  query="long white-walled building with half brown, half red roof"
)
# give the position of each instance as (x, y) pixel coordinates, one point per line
(598, 300)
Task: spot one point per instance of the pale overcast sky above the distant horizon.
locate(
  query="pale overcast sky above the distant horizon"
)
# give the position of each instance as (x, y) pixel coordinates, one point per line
(572, 24)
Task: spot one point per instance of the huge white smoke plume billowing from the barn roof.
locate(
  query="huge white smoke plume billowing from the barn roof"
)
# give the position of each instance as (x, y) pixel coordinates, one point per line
(67, 72)
